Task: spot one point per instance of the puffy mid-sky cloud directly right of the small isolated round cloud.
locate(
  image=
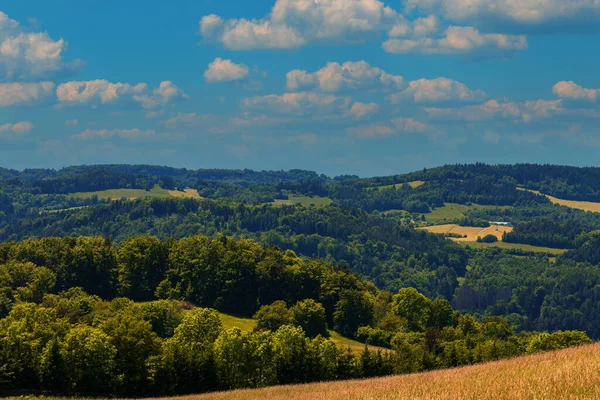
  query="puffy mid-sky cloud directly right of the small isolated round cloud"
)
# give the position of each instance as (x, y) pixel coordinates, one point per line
(335, 77)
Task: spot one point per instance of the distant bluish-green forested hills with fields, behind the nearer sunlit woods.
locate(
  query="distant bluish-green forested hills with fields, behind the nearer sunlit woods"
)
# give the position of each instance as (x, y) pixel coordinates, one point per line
(377, 227)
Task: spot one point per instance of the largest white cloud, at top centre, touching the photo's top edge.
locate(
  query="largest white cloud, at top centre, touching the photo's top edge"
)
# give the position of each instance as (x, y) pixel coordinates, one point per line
(295, 23)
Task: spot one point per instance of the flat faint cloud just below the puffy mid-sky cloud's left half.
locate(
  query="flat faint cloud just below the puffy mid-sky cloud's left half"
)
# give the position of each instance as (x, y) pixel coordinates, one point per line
(300, 104)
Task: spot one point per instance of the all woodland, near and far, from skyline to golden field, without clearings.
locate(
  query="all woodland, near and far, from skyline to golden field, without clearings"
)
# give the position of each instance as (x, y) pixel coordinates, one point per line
(78, 269)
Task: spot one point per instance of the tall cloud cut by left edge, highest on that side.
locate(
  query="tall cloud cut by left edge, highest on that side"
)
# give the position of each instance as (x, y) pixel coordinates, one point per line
(26, 55)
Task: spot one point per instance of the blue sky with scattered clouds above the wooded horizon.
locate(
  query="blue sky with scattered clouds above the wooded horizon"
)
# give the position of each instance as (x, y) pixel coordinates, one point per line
(364, 87)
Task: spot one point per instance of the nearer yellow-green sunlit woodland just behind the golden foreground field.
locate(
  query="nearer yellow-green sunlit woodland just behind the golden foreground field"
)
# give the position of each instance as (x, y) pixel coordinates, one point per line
(84, 316)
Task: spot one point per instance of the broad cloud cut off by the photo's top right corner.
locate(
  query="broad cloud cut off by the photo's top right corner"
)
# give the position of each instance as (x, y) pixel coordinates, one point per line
(514, 15)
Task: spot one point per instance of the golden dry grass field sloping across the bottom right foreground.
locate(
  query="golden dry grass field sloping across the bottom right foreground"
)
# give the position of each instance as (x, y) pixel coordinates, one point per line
(566, 374)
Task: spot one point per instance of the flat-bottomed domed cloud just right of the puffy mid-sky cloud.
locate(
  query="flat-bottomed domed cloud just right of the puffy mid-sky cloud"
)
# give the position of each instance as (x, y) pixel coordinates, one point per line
(436, 90)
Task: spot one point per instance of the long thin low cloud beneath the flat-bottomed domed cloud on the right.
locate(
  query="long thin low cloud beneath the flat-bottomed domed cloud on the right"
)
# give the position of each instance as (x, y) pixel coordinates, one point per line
(492, 109)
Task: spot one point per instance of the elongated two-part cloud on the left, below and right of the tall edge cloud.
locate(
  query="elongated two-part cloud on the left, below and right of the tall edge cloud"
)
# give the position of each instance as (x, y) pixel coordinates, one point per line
(104, 92)
